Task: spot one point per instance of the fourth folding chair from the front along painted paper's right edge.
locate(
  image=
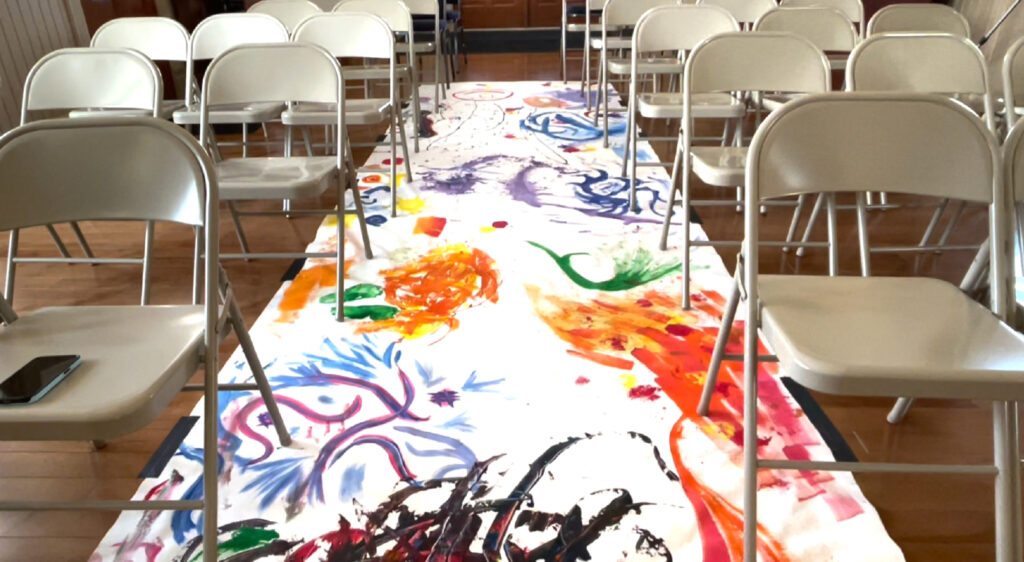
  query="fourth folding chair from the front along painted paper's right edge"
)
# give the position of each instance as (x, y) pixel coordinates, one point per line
(623, 15)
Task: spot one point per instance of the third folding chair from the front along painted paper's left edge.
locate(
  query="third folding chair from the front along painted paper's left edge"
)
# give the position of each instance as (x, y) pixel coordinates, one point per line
(356, 35)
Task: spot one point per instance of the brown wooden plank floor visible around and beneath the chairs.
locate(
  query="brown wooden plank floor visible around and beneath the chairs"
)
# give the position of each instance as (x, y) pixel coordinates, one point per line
(933, 518)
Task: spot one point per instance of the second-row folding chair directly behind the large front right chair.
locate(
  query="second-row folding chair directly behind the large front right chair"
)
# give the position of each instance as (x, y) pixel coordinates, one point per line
(927, 64)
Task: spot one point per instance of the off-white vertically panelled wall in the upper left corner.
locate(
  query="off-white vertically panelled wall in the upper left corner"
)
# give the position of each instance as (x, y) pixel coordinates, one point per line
(30, 29)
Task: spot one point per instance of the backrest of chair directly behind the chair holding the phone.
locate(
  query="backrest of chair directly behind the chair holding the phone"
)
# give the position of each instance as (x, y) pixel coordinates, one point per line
(77, 78)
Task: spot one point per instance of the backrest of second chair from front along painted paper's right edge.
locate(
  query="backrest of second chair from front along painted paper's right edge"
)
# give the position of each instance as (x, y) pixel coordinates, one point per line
(757, 62)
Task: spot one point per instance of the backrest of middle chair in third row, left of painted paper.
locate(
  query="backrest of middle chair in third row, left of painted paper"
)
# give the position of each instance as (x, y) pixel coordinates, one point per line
(224, 31)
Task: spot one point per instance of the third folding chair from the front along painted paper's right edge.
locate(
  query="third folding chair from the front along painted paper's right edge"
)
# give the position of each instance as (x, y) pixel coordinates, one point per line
(677, 28)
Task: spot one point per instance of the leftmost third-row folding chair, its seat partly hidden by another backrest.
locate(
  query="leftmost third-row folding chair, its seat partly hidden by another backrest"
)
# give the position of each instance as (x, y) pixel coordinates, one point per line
(158, 38)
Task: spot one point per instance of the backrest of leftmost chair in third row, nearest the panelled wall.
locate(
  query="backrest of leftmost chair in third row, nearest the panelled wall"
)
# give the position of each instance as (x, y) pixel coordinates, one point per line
(158, 38)
